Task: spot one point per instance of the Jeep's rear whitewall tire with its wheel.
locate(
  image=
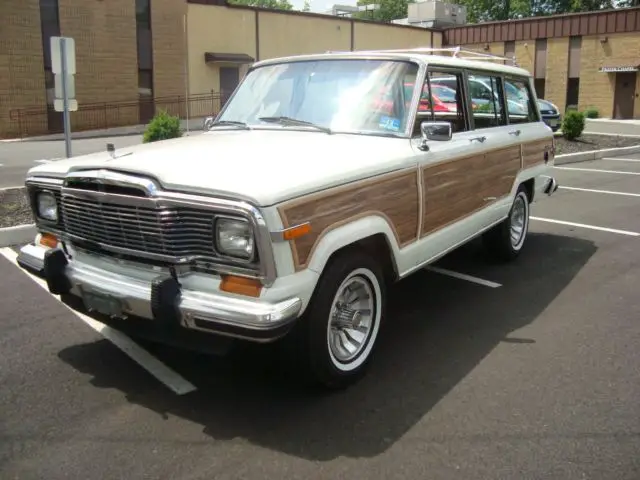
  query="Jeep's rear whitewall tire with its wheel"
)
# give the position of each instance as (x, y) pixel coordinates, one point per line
(505, 241)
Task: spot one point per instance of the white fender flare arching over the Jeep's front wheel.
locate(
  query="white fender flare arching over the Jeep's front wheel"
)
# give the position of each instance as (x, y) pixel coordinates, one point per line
(350, 233)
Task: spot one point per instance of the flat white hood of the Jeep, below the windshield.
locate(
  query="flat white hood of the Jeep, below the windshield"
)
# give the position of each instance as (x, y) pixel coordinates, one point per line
(263, 167)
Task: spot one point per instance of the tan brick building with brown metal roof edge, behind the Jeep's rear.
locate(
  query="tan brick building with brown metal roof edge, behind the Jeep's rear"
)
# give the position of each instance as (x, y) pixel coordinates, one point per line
(586, 59)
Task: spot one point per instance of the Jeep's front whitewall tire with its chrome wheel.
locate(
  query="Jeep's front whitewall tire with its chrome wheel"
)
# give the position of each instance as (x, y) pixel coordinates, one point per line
(337, 335)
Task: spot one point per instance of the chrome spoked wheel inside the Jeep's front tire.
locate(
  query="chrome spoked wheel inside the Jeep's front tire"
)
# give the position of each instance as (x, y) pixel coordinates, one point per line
(354, 319)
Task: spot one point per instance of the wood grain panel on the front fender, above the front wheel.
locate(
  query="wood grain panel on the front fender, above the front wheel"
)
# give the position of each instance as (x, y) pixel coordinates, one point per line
(393, 196)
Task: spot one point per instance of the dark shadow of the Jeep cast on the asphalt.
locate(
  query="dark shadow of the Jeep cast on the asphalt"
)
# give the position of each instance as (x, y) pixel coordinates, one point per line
(438, 329)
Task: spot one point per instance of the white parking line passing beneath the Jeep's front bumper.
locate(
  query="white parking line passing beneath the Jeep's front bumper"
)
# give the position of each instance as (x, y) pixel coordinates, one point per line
(154, 366)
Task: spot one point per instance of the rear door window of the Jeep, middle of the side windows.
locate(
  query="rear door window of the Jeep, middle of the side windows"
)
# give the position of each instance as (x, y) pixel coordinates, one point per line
(486, 101)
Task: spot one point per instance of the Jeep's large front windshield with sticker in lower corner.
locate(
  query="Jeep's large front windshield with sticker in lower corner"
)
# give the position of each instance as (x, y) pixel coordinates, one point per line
(363, 96)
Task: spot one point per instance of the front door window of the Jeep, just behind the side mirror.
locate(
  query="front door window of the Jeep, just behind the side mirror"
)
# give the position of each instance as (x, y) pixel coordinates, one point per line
(442, 100)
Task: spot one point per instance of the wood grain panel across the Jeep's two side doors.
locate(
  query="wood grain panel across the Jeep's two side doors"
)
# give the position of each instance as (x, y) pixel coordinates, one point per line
(460, 187)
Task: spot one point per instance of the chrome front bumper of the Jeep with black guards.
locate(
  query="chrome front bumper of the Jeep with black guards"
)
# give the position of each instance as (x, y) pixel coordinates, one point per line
(162, 300)
